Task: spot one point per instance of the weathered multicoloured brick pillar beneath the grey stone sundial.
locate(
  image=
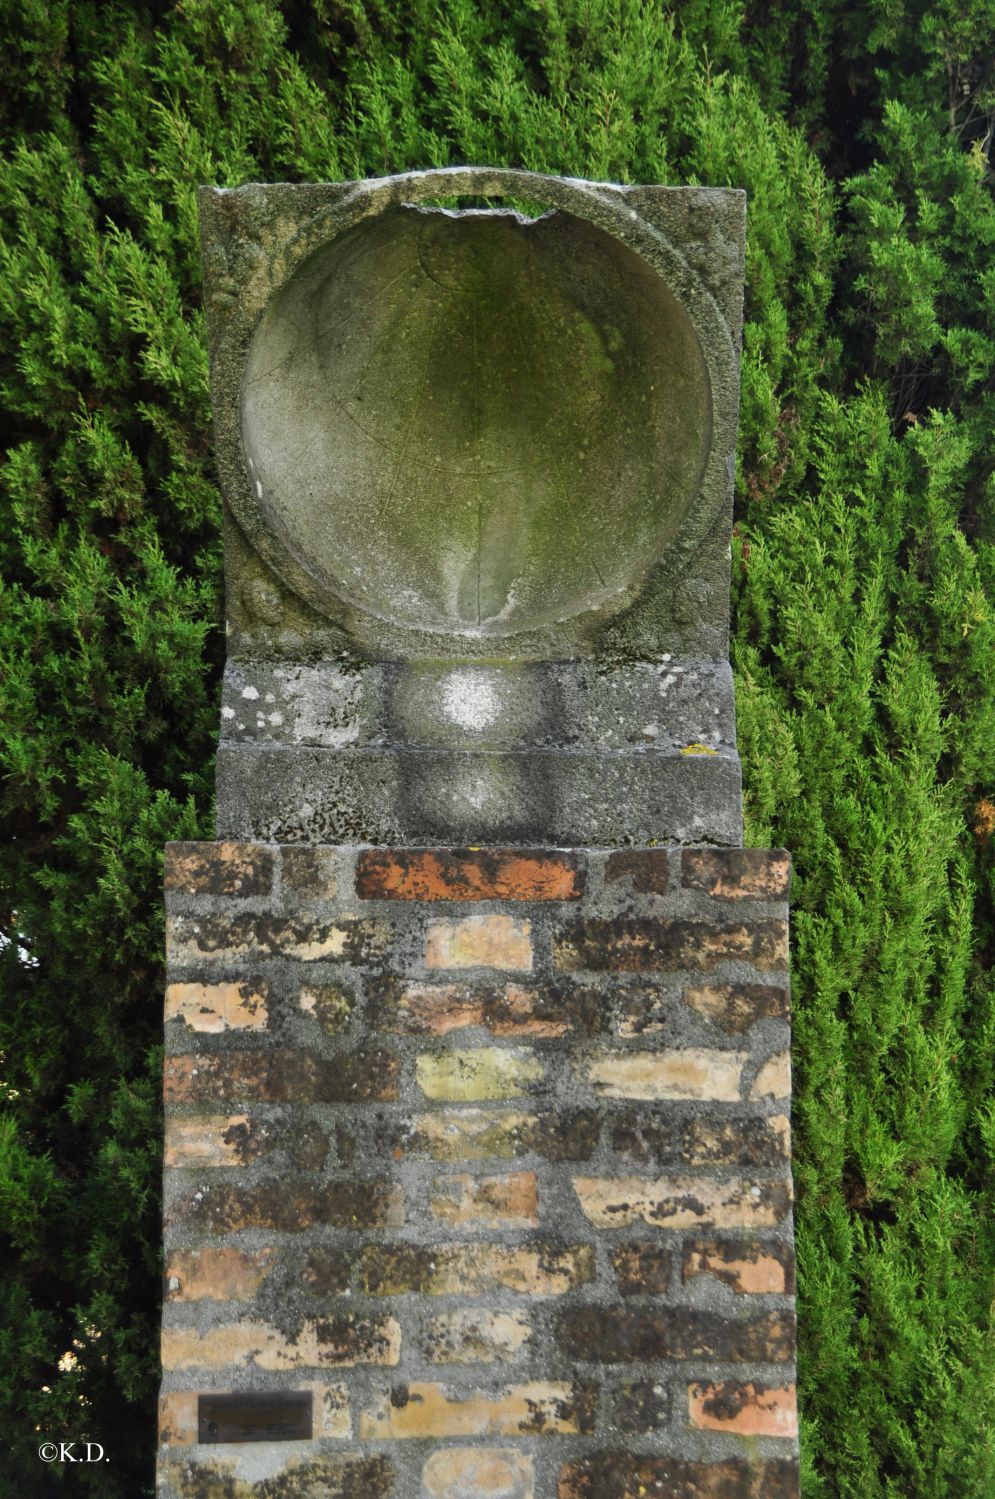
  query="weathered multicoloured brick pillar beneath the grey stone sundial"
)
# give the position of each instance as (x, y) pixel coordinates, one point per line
(491, 1152)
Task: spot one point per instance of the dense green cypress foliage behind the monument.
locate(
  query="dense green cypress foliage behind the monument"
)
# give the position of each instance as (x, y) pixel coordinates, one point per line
(864, 618)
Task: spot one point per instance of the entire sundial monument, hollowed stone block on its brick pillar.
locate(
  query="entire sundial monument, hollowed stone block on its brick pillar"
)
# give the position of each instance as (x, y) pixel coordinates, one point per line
(477, 1016)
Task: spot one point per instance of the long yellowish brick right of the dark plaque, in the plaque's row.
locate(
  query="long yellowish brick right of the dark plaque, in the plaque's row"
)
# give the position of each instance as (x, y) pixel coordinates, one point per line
(426, 1410)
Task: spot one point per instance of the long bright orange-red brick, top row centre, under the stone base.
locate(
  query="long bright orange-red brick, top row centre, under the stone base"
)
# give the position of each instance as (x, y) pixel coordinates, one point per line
(470, 875)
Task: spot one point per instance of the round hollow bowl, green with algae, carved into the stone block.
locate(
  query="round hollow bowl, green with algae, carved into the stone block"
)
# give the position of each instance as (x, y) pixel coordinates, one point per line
(474, 423)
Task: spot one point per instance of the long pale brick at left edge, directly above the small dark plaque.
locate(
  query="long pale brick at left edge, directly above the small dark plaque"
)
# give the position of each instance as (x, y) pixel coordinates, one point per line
(336, 1341)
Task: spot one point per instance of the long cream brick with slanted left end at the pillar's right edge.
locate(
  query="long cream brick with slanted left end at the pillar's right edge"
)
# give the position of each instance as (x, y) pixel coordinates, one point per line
(683, 1201)
